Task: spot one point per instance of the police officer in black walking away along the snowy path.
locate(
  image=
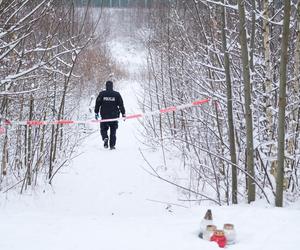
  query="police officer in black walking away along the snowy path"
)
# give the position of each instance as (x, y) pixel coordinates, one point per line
(110, 103)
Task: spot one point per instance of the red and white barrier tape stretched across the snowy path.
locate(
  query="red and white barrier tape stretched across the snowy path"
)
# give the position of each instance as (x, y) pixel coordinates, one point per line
(128, 117)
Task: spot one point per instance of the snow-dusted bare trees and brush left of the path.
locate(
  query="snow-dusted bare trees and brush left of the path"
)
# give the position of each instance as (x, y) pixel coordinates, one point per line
(39, 81)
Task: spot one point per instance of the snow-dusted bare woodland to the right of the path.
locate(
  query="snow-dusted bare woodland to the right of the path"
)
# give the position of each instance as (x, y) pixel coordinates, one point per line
(244, 56)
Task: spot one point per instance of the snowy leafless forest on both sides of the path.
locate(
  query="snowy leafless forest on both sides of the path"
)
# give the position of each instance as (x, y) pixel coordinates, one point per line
(242, 55)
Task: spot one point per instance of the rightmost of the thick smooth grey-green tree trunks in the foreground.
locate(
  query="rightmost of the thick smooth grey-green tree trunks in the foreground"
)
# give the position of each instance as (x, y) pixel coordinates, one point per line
(282, 104)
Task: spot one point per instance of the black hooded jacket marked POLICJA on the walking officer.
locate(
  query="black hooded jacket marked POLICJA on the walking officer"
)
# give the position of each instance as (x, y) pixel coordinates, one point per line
(110, 103)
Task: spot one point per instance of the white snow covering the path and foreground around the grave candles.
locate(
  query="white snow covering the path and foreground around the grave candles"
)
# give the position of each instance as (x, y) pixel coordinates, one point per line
(105, 200)
